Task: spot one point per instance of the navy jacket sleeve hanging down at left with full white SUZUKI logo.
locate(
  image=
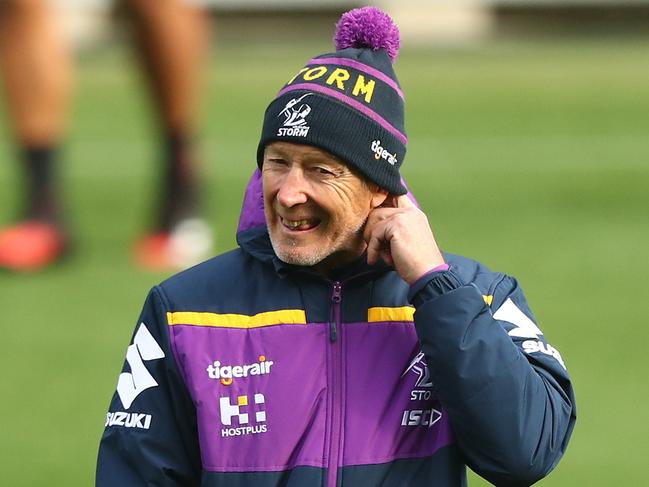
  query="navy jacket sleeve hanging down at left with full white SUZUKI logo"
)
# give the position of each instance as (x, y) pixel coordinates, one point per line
(150, 436)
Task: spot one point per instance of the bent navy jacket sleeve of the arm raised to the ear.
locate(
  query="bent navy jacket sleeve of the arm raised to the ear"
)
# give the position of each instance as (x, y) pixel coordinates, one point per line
(505, 389)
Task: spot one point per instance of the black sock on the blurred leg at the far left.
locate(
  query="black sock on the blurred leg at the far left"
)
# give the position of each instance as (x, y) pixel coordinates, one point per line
(41, 194)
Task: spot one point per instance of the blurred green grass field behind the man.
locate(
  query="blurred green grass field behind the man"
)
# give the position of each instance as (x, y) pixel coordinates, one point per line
(533, 158)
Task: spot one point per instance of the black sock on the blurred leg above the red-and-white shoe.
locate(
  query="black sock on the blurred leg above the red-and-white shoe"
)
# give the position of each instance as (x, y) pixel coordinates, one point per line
(180, 188)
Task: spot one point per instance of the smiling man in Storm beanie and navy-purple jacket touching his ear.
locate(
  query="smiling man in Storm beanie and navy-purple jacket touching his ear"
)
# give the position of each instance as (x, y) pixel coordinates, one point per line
(337, 345)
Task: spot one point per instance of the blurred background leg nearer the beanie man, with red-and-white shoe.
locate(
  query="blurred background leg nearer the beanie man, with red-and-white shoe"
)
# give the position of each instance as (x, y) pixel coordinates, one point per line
(172, 38)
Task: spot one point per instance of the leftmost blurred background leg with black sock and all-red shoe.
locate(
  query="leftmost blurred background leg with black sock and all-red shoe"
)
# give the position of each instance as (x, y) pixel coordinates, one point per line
(36, 71)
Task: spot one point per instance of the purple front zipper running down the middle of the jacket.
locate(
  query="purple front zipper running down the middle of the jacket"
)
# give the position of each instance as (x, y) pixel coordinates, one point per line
(335, 385)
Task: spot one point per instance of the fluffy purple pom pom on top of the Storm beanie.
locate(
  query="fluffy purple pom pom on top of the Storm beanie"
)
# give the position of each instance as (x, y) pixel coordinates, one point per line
(367, 27)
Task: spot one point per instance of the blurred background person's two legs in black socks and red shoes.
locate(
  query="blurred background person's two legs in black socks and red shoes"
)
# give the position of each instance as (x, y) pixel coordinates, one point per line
(36, 69)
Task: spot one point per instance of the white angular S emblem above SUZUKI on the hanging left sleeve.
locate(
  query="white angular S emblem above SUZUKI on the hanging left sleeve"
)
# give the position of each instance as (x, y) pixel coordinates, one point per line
(131, 384)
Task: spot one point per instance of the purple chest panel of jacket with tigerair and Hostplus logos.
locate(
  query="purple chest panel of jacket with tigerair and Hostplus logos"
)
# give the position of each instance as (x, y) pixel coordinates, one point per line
(390, 411)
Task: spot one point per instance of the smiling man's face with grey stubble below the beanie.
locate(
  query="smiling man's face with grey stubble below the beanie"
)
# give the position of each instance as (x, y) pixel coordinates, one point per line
(315, 206)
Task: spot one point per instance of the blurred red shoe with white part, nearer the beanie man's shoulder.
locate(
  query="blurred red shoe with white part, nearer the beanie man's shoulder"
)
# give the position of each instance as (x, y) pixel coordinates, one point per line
(189, 242)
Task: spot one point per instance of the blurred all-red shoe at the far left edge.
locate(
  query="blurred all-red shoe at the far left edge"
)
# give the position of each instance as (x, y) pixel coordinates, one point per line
(31, 246)
